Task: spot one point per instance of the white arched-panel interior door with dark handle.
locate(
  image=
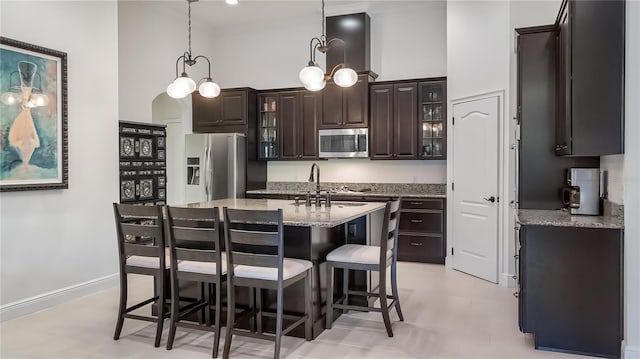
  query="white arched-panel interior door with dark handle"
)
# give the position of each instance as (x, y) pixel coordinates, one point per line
(476, 184)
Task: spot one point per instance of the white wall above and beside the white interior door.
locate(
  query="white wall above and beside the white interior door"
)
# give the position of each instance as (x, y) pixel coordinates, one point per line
(478, 44)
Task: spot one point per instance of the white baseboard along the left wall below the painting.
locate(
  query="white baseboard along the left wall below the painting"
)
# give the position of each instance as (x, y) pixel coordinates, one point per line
(47, 300)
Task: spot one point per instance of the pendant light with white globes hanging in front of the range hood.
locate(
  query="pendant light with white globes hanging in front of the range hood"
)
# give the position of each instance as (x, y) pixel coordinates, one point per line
(313, 77)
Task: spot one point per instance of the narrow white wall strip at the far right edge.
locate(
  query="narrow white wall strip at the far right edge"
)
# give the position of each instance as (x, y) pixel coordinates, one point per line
(632, 185)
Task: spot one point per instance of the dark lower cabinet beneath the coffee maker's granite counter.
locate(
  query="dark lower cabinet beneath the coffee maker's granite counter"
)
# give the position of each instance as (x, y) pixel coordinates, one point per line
(570, 294)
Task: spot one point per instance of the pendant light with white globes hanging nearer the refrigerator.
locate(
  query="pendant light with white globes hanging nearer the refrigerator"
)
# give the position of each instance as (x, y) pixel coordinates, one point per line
(183, 85)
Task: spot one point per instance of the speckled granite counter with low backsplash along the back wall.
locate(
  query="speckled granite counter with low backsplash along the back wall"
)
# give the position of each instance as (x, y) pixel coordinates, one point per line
(355, 189)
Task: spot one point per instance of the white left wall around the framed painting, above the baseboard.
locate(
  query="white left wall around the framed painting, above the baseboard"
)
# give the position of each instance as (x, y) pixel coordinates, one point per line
(59, 238)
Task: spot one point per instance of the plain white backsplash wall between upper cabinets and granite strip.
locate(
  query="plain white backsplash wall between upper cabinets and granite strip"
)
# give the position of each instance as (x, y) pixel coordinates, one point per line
(360, 171)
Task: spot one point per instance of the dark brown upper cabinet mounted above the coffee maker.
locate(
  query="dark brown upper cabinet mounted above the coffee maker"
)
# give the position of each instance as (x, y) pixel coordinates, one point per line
(590, 115)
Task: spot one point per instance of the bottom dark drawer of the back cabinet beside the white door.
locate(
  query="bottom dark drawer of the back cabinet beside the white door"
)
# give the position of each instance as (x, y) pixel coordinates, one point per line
(424, 248)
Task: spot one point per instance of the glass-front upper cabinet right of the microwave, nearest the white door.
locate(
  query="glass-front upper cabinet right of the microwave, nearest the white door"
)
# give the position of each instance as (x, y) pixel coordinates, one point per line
(433, 120)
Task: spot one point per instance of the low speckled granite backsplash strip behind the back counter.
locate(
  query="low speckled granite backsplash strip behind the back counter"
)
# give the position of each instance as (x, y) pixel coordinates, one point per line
(434, 188)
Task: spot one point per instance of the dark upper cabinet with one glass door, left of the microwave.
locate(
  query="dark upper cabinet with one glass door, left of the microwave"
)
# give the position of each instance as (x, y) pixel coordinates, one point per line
(289, 131)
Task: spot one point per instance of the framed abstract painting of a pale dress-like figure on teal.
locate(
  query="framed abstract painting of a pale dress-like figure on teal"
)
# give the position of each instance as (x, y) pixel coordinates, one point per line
(33, 117)
